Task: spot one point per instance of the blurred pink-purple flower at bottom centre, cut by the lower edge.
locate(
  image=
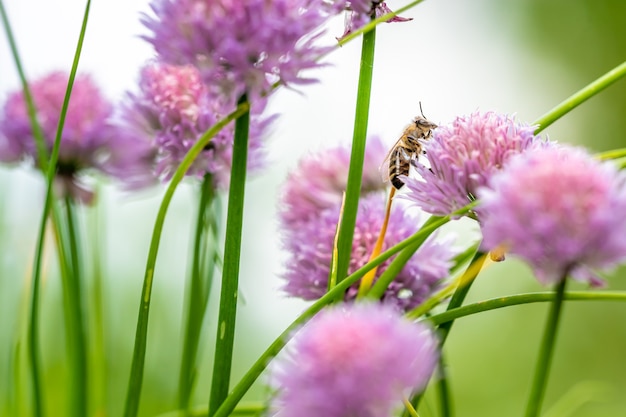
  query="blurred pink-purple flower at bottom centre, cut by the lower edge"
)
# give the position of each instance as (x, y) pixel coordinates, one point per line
(358, 360)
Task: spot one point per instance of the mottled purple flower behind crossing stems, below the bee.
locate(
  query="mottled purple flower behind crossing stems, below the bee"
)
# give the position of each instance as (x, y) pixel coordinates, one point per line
(310, 246)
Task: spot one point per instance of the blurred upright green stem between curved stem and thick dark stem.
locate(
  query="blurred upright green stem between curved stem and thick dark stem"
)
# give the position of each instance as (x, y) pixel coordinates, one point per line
(197, 293)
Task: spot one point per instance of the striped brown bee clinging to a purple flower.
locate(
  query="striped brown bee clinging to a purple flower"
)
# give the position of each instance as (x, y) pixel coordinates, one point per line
(408, 147)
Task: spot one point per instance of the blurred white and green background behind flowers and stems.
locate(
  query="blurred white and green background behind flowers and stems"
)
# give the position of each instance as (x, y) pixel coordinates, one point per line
(456, 57)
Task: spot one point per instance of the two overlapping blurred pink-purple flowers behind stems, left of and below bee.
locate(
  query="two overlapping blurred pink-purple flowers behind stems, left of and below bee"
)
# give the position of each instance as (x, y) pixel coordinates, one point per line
(309, 217)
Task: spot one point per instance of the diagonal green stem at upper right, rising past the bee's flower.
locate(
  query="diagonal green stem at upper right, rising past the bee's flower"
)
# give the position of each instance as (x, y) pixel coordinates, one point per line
(580, 96)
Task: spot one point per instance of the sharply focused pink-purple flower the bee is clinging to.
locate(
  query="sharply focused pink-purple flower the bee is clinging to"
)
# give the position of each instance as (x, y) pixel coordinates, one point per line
(463, 156)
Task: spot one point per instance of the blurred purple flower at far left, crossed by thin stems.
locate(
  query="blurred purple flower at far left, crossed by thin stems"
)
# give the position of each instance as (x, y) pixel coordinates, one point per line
(89, 139)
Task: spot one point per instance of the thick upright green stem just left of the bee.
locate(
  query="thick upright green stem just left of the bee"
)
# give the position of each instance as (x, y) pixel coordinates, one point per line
(355, 172)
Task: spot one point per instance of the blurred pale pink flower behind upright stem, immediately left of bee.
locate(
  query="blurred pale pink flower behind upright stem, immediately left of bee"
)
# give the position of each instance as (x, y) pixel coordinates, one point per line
(319, 180)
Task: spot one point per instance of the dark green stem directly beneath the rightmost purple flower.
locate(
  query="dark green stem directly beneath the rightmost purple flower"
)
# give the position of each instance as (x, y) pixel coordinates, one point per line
(545, 353)
